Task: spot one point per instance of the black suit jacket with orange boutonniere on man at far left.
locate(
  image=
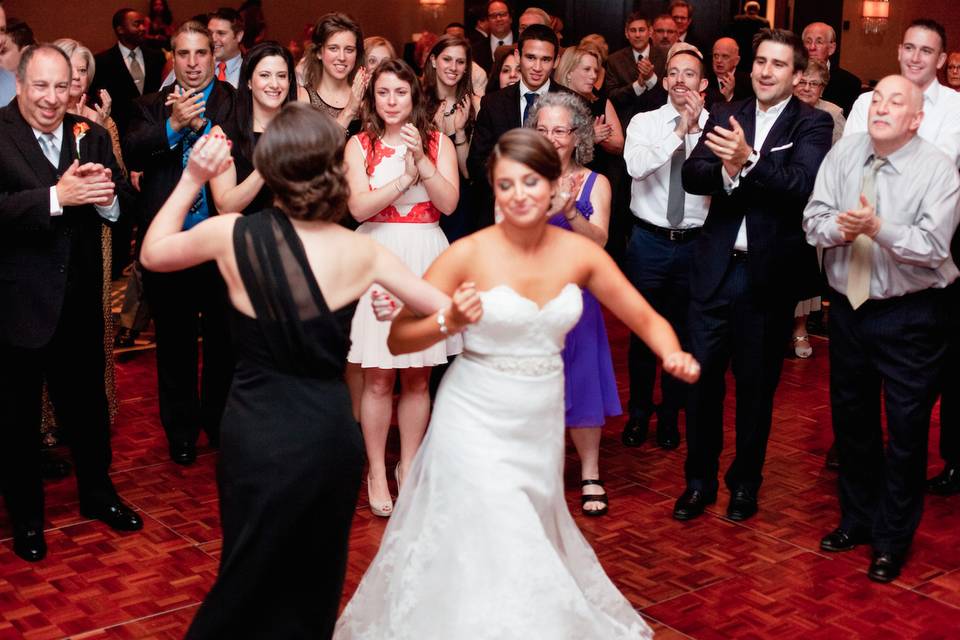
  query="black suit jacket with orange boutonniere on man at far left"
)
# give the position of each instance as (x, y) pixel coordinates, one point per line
(41, 254)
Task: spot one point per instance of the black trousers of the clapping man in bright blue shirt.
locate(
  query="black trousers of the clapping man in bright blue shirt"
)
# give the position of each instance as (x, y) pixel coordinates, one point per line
(186, 306)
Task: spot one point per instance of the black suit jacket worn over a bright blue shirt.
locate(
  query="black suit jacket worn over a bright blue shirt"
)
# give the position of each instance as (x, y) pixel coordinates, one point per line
(146, 148)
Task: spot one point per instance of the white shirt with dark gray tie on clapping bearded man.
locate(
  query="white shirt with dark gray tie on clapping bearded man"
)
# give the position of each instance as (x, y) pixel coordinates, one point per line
(648, 151)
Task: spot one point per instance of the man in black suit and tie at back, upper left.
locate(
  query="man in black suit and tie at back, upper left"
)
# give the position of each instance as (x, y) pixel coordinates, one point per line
(127, 70)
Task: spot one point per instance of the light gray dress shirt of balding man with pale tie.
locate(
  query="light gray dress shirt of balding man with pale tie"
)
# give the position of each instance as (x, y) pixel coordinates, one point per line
(918, 192)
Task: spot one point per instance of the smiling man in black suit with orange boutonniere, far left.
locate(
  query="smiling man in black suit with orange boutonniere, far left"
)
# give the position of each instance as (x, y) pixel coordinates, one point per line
(57, 180)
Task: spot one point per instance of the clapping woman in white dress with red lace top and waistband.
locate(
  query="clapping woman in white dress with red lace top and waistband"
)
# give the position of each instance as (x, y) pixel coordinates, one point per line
(403, 176)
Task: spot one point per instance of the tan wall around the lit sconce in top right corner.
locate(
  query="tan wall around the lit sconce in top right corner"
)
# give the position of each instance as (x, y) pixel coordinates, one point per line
(873, 56)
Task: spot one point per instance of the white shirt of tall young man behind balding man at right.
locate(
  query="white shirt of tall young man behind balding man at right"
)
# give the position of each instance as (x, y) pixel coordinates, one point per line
(940, 124)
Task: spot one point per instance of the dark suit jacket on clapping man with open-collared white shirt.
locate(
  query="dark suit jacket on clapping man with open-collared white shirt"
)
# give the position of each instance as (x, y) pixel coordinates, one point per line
(771, 196)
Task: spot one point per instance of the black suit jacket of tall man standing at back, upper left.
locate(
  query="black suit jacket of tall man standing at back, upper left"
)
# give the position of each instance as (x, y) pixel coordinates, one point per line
(112, 74)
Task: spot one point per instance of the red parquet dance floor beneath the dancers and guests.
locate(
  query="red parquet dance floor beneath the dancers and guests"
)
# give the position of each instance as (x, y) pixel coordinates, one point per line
(709, 578)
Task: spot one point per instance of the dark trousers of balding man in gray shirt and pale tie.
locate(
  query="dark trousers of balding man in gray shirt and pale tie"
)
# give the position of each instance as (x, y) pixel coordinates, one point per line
(893, 349)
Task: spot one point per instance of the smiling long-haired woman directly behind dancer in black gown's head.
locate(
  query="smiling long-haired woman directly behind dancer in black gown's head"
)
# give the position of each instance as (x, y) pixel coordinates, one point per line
(334, 76)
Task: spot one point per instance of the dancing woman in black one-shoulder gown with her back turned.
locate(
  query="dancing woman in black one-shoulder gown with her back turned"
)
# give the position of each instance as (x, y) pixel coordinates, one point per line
(291, 455)
